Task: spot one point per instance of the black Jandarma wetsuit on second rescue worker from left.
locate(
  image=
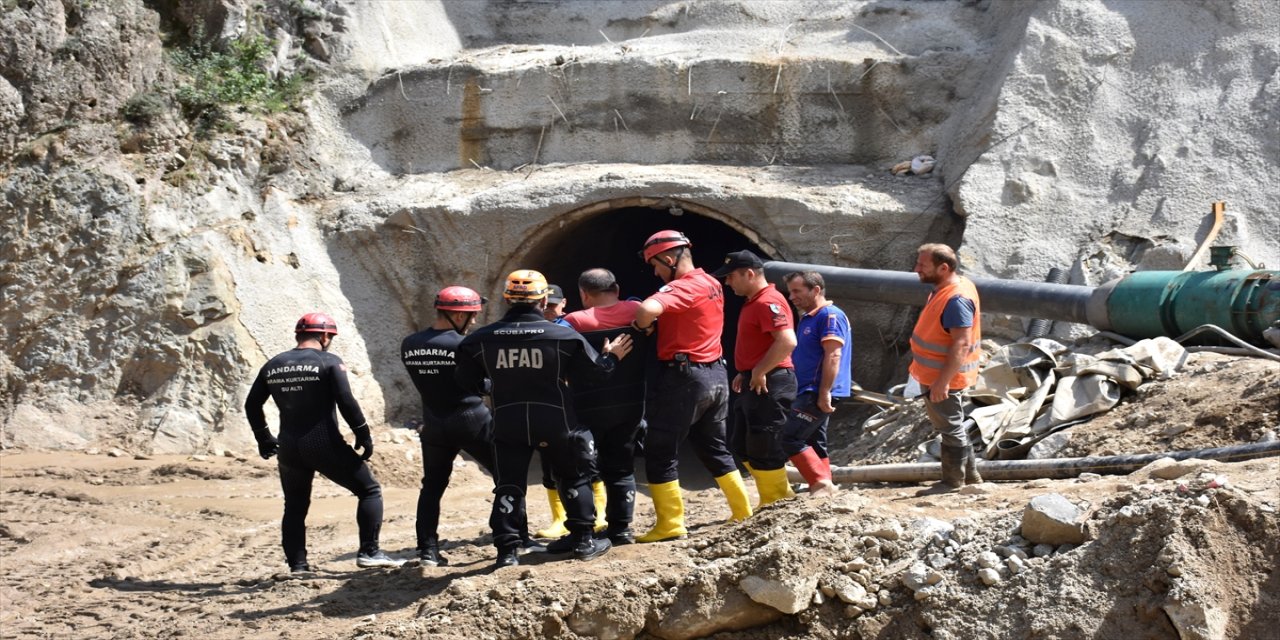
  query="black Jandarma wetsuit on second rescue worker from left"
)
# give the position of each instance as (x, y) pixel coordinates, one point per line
(452, 422)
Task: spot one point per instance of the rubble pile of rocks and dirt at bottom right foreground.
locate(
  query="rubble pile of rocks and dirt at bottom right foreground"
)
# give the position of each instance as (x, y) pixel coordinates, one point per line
(848, 569)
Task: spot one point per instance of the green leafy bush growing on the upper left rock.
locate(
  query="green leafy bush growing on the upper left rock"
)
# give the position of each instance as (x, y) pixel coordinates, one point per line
(236, 77)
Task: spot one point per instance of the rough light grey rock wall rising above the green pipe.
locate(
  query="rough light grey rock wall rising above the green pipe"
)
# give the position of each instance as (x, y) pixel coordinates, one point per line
(1112, 129)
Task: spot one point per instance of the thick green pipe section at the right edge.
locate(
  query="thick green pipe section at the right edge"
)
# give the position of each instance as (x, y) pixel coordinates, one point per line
(1150, 304)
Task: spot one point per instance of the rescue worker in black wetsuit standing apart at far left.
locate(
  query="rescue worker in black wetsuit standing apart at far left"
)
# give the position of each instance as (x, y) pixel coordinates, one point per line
(308, 383)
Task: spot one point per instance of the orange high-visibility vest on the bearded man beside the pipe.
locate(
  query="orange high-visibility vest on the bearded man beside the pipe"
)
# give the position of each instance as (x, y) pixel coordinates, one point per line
(930, 341)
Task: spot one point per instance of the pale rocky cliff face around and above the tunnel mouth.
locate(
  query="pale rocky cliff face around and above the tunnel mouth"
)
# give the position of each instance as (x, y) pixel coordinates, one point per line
(149, 272)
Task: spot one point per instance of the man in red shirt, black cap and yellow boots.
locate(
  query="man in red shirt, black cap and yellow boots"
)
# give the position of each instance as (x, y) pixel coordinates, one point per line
(766, 381)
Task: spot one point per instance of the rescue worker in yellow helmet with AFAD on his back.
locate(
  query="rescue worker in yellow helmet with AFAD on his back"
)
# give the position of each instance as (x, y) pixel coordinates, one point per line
(531, 364)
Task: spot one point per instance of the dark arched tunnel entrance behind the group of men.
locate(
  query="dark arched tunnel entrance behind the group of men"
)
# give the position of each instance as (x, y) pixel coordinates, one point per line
(612, 240)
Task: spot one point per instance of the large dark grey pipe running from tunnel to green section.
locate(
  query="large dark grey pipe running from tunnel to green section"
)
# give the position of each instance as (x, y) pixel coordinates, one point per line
(1064, 303)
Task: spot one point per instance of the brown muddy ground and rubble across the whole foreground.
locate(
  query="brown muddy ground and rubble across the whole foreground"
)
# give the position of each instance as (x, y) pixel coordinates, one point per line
(95, 546)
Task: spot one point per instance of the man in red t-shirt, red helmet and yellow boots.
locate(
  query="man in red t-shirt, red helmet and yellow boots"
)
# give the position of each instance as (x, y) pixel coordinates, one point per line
(691, 396)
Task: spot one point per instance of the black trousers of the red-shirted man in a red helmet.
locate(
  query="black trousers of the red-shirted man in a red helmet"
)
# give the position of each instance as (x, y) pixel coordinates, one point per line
(687, 404)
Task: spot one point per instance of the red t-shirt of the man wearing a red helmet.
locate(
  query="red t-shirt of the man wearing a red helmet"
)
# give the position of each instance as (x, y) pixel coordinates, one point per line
(693, 318)
